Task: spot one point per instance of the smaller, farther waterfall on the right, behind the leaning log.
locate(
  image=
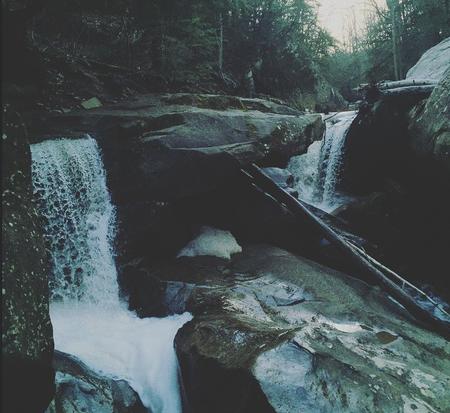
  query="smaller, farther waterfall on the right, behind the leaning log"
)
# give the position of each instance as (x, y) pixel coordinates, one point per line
(317, 172)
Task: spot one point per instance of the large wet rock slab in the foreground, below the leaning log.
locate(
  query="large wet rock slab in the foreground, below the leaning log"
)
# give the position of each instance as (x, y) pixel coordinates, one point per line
(274, 332)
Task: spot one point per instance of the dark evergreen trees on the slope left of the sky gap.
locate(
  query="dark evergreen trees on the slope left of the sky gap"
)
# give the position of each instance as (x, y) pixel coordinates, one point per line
(278, 43)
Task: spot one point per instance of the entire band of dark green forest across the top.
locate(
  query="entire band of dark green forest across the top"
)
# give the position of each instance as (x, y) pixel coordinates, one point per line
(268, 47)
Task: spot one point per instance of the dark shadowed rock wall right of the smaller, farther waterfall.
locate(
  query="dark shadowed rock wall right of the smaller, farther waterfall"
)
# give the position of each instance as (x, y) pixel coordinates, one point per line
(391, 161)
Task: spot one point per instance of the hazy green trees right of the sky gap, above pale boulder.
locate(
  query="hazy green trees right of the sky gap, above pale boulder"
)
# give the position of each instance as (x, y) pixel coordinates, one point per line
(419, 25)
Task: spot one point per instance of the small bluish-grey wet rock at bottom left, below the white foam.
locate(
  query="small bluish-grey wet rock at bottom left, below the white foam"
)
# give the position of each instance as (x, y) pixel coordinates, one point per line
(80, 390)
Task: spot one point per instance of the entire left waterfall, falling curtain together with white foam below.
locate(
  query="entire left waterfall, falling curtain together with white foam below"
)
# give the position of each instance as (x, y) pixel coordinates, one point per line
(89, 320)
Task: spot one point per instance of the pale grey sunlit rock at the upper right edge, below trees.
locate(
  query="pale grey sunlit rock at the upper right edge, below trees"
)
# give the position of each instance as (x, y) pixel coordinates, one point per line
(433, 64)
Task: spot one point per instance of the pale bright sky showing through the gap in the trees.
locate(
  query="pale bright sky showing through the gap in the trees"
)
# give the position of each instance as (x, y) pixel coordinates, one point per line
(334, 14)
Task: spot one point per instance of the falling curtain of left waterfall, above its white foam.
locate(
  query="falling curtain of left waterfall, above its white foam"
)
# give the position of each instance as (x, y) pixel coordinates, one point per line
(70, 185)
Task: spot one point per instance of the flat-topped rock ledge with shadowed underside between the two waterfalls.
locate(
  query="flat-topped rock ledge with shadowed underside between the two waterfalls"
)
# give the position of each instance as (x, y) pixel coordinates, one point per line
(174, 160)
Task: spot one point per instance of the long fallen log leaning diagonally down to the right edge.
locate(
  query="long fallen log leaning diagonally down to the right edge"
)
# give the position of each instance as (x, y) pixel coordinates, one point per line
(354, 254)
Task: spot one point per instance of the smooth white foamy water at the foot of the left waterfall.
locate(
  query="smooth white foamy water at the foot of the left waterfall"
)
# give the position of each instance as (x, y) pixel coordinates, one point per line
(118, 344)
